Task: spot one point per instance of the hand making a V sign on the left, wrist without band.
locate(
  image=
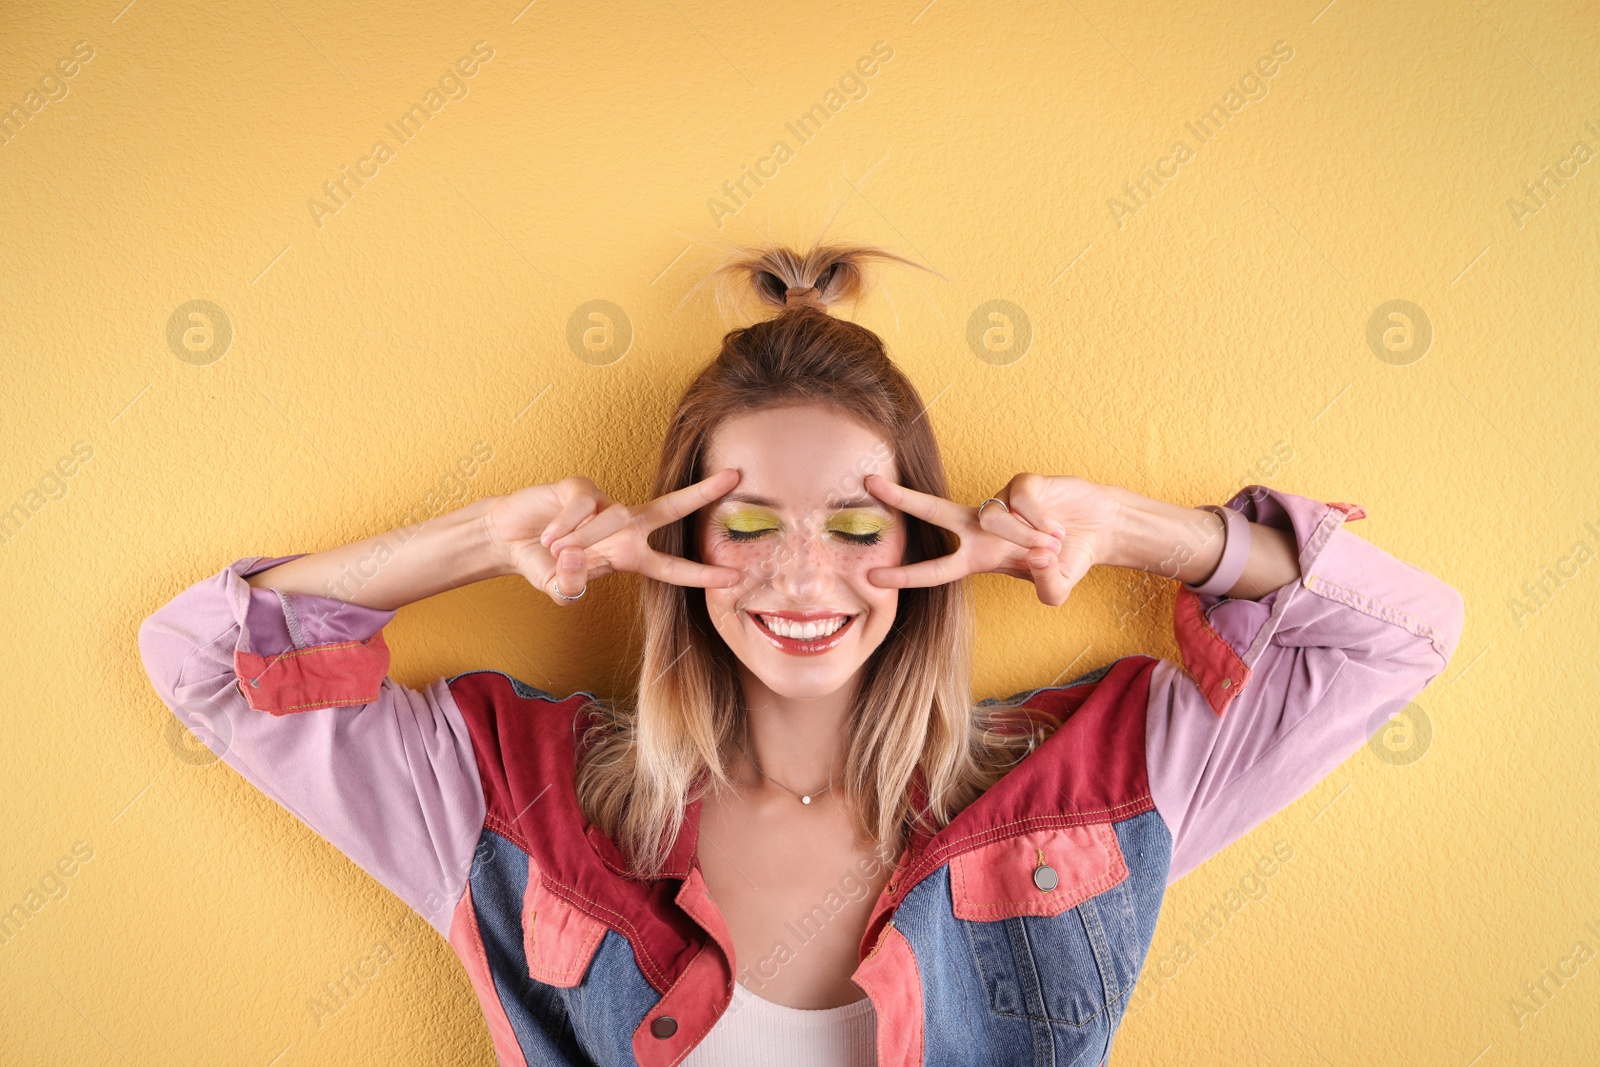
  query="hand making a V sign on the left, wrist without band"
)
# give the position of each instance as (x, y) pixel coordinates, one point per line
(599, 535)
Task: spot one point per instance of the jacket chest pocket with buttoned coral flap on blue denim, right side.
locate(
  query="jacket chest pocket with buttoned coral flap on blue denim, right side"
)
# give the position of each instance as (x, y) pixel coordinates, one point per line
(1044, 914)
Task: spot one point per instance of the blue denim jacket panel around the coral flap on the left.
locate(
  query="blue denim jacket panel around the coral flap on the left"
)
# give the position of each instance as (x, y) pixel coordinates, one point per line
(588, 1026)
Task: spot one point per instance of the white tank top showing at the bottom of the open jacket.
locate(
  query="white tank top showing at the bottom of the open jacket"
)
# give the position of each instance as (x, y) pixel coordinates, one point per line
(756, 1031)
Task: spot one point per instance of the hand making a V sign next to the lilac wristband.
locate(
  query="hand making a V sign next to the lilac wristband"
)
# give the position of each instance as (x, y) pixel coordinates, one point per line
(1050, 532)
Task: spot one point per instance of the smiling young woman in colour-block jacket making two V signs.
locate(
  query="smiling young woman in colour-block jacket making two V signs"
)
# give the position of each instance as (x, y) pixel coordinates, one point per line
(798, 841)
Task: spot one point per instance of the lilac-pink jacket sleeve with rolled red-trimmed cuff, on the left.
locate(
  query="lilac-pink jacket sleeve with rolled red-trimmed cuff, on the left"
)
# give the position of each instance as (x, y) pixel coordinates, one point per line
(294, 693)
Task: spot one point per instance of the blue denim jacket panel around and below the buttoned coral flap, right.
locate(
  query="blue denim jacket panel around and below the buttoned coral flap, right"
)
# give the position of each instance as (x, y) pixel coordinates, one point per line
(1038, 989)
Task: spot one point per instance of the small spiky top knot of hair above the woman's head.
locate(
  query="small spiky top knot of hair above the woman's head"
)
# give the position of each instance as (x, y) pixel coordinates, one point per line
(799, 284)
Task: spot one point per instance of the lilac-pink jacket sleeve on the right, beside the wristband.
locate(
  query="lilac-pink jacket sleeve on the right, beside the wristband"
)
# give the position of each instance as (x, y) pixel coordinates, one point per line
(1276, 693)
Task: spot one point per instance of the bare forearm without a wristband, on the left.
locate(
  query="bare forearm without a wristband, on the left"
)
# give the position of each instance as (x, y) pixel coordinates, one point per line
(401, 567)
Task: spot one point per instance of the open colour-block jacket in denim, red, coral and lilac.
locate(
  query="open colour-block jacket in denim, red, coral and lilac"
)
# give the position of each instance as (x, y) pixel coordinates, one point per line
(1014, 935)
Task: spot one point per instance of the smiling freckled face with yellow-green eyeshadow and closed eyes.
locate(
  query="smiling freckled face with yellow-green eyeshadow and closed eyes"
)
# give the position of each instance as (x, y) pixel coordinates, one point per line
(804, 533)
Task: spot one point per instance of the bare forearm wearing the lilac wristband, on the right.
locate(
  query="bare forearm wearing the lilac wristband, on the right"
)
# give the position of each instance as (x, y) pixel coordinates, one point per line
(1186, 543)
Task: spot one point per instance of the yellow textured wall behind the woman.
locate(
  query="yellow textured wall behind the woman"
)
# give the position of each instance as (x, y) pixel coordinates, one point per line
(1210, 332)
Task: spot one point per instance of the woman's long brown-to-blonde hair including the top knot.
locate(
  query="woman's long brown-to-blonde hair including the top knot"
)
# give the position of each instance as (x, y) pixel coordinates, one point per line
(647, 757)
